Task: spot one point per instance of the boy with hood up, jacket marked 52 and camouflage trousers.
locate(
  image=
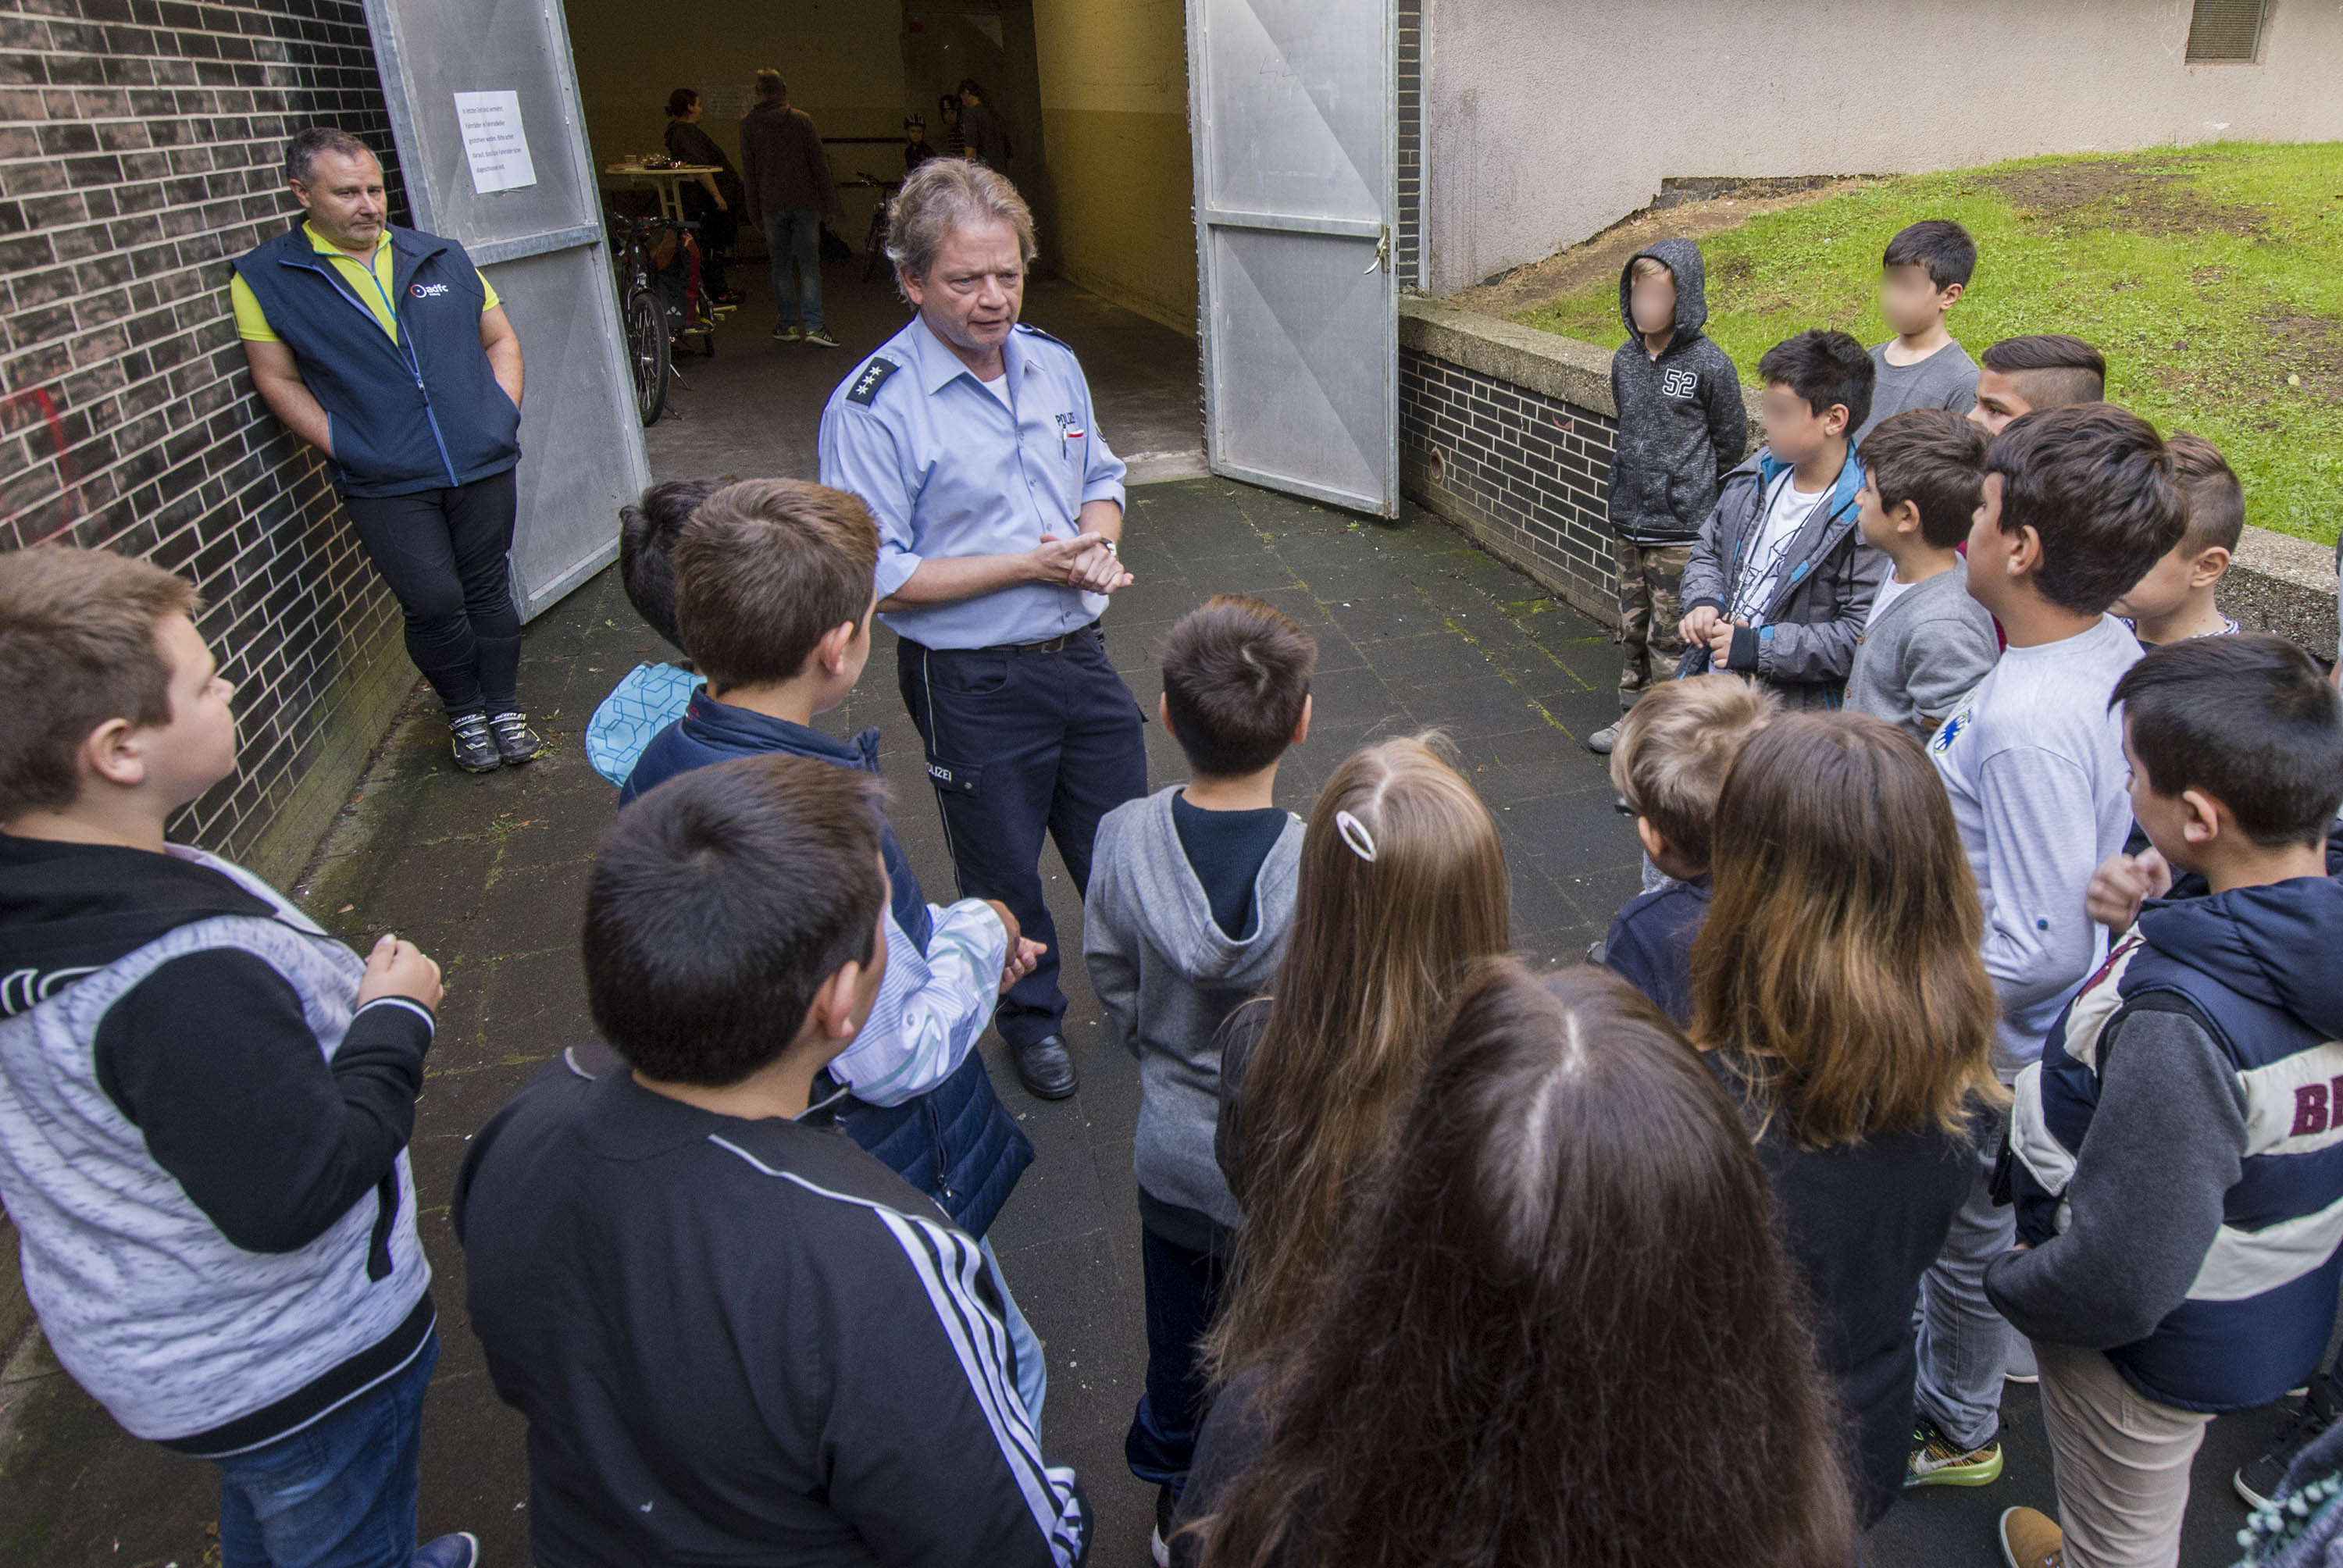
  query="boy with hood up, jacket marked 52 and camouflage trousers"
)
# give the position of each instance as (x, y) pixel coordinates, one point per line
(1681, 432)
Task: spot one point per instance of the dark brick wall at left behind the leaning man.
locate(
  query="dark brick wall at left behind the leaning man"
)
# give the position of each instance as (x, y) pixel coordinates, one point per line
(142, 149)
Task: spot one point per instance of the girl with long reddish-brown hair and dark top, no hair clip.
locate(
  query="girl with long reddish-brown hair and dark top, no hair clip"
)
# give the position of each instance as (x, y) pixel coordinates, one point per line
(1840, 993)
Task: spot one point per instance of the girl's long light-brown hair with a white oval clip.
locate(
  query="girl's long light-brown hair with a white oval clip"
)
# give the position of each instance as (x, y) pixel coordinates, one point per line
(1402, 887)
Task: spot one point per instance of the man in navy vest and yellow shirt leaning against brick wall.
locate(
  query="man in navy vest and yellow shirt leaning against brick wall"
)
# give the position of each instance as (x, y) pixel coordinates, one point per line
(388, 353)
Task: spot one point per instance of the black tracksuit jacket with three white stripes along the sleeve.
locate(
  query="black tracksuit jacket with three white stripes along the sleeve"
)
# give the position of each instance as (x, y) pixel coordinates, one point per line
(742, 1342)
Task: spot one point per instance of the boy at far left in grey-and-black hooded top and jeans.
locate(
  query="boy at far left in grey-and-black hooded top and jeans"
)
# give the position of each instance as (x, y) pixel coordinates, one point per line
(205, 1100)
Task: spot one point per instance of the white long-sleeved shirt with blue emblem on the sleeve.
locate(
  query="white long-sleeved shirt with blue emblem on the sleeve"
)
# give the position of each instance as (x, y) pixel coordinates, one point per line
(2040, 791)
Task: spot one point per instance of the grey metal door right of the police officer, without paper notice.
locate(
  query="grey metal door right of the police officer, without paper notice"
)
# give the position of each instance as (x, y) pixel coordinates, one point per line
(1297, 144)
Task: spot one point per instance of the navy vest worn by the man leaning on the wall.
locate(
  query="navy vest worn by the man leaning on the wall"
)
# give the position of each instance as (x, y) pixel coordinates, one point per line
(421, 414)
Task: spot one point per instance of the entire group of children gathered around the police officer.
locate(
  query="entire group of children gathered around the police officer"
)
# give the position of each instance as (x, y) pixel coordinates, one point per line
(1707, 1253)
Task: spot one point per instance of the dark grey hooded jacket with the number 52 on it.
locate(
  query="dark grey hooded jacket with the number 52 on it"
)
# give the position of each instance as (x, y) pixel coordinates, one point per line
(1681, 416)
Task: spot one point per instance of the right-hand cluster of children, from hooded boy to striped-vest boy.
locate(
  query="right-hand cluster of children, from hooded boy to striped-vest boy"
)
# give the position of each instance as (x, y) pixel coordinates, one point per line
(1979, 559)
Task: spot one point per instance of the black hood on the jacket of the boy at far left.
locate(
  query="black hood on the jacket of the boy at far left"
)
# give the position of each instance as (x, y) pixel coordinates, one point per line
(69, 911)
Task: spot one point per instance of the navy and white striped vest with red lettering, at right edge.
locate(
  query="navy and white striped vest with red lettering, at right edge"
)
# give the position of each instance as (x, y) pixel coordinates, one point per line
(2257, 1318)
